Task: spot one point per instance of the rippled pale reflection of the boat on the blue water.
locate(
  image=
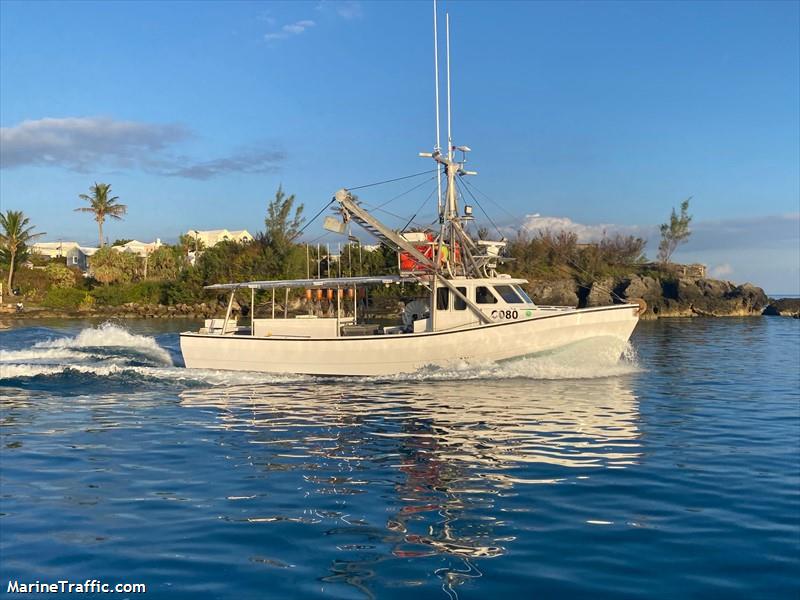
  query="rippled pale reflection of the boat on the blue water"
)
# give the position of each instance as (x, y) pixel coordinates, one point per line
(438, 456)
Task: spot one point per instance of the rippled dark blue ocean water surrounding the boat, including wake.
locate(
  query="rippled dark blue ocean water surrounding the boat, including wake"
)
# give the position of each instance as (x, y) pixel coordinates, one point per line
(674, 473)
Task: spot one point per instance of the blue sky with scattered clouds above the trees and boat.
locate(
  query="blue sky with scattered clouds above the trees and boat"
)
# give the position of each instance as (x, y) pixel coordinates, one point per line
(601, 116)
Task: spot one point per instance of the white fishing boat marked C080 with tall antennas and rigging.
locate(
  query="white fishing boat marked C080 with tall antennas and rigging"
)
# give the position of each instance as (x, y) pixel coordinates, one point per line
(469, 314)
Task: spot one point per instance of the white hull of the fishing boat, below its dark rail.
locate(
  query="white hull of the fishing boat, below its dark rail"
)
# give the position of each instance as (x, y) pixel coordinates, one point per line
(407, 353)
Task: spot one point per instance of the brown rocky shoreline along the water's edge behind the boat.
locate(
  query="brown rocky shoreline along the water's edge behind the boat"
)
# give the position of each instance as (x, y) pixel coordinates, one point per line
(681, 297)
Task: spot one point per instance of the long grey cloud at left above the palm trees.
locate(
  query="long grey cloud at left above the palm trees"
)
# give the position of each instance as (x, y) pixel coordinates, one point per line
(85, 143)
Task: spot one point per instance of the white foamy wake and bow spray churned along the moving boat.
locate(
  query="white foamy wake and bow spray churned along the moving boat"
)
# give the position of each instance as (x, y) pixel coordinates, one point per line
(113, 358)
